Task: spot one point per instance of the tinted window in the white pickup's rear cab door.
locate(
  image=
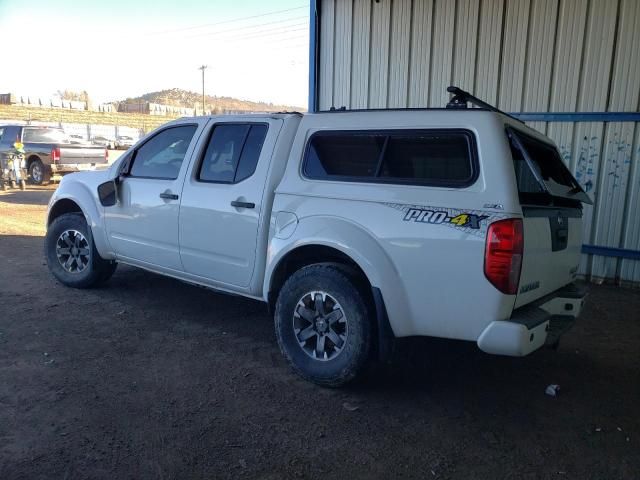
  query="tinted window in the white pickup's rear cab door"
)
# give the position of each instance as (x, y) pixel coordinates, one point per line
(232, 153)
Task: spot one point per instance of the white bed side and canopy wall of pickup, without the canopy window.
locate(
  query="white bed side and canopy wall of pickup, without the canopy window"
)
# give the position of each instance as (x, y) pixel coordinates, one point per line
(431, 274)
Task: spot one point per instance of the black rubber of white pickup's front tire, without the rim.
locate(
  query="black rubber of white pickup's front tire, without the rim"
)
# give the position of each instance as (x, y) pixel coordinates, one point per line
(96, 270)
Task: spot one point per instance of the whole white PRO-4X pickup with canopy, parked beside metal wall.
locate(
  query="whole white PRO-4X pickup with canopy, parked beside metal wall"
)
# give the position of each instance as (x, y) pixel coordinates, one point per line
(355, 227)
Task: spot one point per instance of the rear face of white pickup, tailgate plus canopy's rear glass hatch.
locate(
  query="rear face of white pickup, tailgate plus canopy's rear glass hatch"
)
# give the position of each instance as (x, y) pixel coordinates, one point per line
(551, 200)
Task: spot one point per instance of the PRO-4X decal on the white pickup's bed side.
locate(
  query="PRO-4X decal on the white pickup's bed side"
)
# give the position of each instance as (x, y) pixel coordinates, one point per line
(470, 221)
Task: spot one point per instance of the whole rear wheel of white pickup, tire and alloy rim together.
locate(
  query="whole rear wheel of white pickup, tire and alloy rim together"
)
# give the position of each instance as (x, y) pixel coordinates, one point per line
(323, 325)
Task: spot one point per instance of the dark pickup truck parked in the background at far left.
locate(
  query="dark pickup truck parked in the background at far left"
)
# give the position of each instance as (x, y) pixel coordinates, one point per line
(50, 152)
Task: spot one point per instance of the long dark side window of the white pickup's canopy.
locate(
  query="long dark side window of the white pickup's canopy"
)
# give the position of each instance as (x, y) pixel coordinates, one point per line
(422, 157)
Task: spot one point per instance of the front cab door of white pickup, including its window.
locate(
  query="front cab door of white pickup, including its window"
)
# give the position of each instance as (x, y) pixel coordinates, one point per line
(143, 226)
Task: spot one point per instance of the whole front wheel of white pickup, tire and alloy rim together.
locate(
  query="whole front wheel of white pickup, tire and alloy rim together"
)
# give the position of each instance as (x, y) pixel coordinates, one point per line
(71, 254)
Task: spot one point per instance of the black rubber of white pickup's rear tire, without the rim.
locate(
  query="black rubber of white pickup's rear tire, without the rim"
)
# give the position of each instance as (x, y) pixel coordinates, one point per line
(343, 288)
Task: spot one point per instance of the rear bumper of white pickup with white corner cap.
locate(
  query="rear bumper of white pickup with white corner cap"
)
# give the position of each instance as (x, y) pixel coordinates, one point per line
(532, 326)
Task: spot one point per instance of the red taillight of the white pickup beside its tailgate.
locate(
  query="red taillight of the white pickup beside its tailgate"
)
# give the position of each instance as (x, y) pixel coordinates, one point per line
(503, 254)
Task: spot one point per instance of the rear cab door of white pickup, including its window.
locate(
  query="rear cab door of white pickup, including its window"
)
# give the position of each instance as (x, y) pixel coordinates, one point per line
(222, 203)
